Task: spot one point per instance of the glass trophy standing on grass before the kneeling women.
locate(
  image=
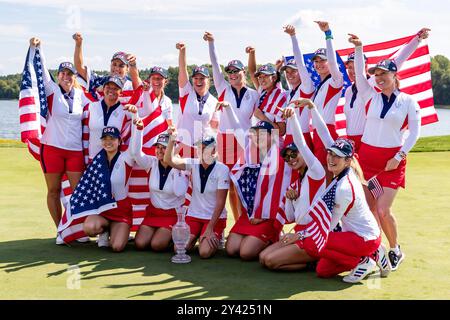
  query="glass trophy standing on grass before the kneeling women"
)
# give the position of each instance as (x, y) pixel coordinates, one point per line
(180, 236)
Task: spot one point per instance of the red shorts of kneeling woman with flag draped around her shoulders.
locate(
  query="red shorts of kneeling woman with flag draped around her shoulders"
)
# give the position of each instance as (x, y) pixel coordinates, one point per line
(267, 231)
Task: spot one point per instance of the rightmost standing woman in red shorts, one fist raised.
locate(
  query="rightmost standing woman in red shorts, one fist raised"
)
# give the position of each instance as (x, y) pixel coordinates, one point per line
(384, 148)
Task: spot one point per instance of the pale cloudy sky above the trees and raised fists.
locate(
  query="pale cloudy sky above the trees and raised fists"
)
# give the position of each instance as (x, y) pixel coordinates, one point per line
(150, 29)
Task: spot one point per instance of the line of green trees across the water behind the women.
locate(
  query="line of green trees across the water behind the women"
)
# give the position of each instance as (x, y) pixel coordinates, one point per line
(440, 75)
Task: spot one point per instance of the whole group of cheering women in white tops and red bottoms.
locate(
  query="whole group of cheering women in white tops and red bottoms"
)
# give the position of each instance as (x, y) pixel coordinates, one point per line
(92, 119)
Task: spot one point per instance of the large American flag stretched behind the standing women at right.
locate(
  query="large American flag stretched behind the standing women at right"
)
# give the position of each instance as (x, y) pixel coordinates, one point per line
(415, 75)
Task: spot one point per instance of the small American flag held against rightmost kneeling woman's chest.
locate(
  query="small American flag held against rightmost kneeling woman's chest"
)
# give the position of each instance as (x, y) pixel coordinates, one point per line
(321, 212)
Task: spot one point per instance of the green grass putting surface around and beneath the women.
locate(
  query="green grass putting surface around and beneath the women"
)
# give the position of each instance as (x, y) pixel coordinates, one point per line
(33, 267)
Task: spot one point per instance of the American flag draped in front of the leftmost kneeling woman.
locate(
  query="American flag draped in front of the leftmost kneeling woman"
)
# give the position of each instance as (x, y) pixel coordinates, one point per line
(91, 196)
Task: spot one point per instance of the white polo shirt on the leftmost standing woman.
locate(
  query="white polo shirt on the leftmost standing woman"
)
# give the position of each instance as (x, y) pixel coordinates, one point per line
(64, 122)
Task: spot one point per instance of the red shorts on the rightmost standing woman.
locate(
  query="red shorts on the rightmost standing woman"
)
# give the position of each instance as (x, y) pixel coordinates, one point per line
(373, 161)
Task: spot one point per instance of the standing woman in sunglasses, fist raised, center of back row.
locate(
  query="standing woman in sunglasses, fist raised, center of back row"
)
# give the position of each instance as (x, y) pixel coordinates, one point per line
(240, 103)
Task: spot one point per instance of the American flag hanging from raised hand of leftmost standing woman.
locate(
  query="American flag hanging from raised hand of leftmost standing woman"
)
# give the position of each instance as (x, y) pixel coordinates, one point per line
(33, 110)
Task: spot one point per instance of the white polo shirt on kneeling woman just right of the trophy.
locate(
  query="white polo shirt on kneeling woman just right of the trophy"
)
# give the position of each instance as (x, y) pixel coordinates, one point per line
(203, 204)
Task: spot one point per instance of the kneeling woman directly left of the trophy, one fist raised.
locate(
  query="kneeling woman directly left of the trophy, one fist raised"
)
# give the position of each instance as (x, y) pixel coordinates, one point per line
(167, 187)
